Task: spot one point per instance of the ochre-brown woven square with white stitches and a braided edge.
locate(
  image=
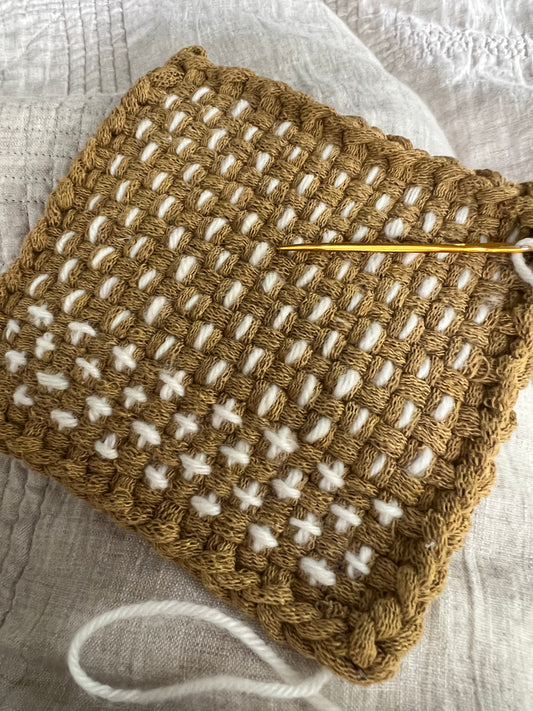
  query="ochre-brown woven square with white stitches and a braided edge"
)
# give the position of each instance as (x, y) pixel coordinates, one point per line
(306, 433)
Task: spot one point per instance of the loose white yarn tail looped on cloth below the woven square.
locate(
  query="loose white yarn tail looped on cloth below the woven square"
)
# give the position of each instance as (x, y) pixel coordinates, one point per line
(292, 687)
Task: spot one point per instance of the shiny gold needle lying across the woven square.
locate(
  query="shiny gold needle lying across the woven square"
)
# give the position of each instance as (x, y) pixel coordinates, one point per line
(486, 247)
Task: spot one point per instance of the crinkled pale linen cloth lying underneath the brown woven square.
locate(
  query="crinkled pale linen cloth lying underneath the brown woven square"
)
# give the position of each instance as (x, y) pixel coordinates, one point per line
(64, 65)
